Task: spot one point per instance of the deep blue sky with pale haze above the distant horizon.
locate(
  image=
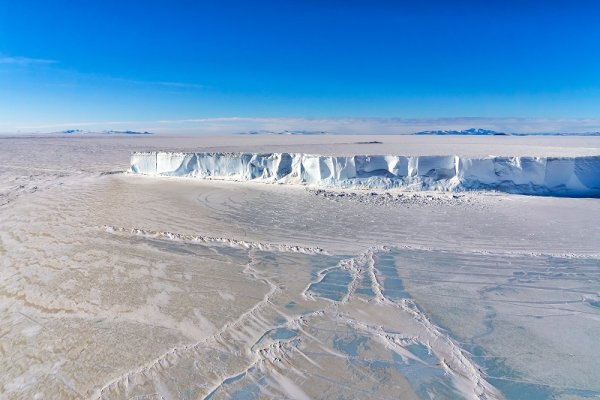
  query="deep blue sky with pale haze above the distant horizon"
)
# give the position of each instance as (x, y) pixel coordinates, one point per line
(349, 66)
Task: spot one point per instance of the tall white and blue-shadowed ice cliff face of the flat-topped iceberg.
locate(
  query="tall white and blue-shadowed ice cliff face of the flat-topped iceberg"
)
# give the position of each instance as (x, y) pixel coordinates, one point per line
(573, 177)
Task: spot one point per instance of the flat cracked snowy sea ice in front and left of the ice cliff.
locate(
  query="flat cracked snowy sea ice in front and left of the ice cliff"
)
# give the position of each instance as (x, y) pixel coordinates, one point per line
(117, 285)
